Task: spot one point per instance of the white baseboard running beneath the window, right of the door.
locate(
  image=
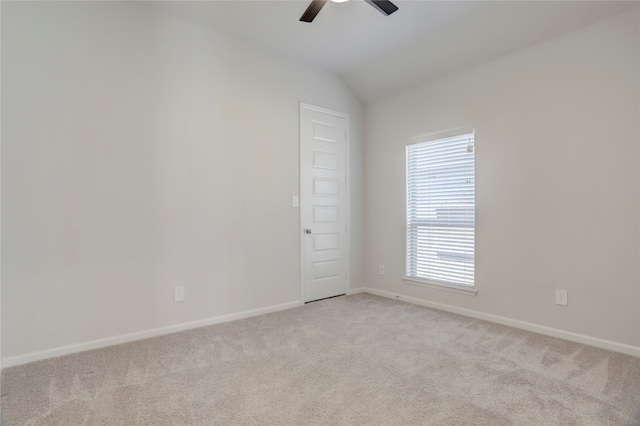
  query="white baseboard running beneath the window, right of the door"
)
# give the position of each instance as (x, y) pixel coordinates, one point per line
(523, 325)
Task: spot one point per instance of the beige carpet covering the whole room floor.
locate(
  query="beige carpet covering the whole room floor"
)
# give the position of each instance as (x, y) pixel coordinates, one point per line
(358, 359)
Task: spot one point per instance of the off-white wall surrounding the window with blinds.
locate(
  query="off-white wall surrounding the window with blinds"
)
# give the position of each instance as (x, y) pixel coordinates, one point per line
(558, 184)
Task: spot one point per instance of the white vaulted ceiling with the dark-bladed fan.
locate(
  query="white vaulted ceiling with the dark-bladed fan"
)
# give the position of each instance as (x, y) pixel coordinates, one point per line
(379, 55)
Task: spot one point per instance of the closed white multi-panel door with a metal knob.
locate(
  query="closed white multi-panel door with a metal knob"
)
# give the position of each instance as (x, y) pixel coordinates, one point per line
(323, 202)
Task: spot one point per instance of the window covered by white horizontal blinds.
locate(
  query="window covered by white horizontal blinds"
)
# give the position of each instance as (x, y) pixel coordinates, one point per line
(441, 213)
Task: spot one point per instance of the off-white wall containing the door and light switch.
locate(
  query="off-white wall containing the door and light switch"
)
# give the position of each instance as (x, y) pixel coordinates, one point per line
(141, 152)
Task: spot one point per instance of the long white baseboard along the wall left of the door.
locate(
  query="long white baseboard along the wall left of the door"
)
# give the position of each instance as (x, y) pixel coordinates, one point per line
(139, 335)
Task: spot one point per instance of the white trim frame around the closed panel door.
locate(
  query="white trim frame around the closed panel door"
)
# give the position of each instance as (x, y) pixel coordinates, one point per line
(347, 171)
